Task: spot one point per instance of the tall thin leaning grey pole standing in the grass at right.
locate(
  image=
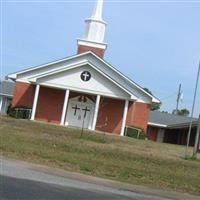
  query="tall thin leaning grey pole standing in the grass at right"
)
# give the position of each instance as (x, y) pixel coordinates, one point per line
(191, 118)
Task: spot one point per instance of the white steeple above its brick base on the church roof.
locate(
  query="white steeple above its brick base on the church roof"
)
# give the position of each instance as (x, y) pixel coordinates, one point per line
(95, 29)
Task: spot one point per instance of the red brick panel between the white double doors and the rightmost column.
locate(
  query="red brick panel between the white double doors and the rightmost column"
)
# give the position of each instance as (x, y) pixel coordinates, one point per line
(110, 110)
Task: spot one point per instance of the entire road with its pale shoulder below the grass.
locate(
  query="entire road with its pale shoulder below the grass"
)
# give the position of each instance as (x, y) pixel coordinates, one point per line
(23, 181)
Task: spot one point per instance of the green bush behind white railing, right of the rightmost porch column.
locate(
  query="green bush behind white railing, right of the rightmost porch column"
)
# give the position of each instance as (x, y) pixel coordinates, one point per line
(137, 133)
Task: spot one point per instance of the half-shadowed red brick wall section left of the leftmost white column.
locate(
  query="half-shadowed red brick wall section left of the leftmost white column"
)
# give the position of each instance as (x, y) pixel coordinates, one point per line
(23, 95)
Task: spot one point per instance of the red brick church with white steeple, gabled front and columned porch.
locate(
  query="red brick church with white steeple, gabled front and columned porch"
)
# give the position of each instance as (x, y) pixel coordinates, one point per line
(84, 90)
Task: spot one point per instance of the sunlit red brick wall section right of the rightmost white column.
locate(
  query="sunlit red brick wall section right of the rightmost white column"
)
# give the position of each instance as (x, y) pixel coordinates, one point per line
(138, 115)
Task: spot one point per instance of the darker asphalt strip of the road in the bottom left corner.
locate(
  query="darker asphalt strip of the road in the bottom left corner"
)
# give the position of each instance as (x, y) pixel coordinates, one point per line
(13, 188)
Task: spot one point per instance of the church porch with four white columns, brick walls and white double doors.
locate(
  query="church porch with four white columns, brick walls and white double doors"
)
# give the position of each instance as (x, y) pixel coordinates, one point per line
(81, 110)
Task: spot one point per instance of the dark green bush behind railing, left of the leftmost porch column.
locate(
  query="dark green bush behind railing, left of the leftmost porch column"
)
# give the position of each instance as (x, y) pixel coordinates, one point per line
(19, 112)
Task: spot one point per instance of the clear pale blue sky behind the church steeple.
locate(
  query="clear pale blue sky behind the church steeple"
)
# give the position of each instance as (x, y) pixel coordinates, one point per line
(154, 43)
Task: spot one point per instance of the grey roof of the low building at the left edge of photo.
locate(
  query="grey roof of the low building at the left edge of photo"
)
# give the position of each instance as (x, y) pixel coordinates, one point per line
(6, 88)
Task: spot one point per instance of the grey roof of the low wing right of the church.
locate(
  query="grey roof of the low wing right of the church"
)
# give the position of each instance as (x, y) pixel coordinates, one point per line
(162, 119)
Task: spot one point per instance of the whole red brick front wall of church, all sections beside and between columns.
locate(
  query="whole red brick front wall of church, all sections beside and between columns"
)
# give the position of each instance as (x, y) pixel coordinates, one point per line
(50, 104)
